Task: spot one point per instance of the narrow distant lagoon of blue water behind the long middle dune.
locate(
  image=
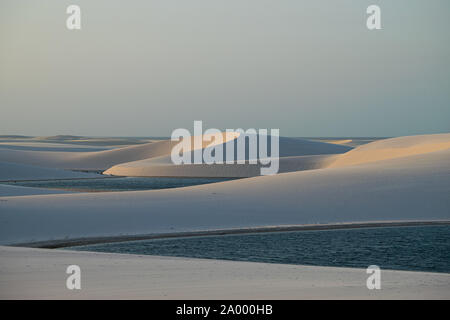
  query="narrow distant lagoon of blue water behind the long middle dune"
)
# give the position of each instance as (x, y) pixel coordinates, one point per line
(117, 184)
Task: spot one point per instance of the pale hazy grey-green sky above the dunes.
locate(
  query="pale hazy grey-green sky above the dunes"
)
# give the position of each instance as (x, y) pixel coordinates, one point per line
(146, 67)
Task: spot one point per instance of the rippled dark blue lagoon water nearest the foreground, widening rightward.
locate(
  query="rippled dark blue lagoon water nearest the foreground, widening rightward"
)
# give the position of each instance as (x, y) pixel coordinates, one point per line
(424, 248)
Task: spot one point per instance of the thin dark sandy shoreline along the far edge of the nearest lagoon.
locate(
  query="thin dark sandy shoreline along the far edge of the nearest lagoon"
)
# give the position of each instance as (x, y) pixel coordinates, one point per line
(63, 243)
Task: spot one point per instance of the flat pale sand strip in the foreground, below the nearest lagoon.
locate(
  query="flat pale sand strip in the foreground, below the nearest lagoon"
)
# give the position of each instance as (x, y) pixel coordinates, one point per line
(40, 274)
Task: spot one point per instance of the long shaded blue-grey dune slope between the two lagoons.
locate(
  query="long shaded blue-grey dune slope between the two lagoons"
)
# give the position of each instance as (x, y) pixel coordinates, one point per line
(410, 188)
